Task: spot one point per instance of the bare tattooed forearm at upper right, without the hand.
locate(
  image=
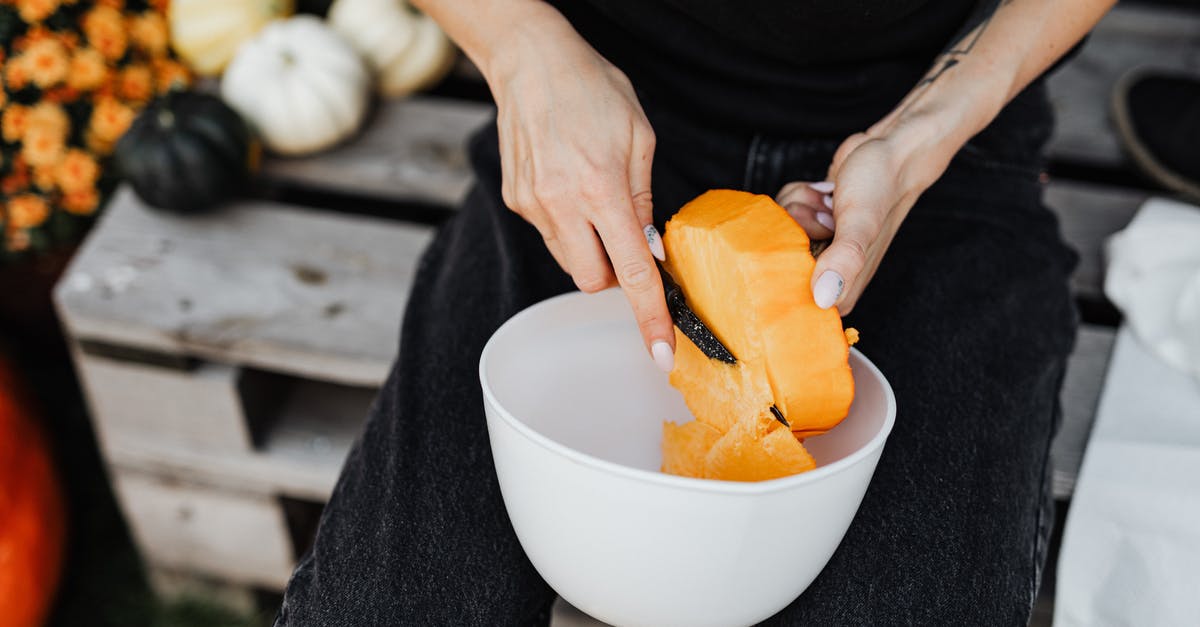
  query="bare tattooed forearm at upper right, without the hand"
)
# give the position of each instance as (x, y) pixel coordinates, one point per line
(970, 83)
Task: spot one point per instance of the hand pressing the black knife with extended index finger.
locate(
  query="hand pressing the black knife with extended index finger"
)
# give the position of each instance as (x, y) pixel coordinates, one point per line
(577, 152)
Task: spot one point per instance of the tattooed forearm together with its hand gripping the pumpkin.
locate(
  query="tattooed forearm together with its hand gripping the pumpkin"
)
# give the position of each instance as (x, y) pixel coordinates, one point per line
(880, 174)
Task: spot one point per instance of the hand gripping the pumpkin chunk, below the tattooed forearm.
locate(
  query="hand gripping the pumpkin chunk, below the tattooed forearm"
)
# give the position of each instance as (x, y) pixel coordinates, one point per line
(874, 181)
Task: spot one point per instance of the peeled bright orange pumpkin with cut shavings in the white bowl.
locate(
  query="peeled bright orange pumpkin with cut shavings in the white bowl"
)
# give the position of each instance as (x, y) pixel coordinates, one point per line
(746, 270)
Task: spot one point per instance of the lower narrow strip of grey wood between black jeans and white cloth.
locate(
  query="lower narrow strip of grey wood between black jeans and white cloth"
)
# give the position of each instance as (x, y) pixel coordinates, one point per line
(1081, 396)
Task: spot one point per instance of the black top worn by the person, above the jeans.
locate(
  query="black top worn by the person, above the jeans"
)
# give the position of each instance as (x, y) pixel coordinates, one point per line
(815, 69)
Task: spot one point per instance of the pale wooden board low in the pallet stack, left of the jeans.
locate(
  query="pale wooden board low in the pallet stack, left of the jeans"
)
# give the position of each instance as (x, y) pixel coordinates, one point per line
(233, 536)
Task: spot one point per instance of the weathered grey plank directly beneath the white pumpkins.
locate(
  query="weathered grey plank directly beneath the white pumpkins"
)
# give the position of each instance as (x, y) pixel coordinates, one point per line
(411, 151)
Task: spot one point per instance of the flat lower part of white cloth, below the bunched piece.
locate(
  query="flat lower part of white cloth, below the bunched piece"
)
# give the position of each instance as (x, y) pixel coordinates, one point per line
(1131, 552)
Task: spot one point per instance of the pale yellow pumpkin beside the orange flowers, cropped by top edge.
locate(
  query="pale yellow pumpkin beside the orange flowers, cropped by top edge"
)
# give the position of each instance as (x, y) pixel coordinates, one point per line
(207, 33)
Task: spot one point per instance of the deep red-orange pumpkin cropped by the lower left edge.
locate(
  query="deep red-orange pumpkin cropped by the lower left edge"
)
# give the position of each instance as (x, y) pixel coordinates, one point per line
(32, 513)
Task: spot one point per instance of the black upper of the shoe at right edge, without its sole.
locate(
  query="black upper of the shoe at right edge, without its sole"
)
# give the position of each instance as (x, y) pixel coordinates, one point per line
(1166, 116)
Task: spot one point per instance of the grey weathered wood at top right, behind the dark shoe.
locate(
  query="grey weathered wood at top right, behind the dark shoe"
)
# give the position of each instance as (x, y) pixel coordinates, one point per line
(1127, 38)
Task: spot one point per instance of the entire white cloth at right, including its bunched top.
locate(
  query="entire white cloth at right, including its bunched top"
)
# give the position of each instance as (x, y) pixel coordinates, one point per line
(1131, 552)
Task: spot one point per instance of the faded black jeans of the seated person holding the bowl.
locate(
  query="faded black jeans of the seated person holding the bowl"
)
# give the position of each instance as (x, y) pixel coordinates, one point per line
(969, 318)
